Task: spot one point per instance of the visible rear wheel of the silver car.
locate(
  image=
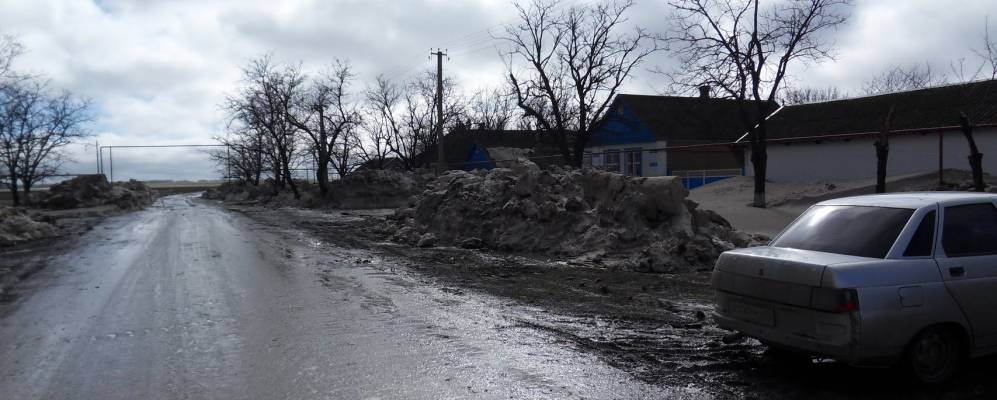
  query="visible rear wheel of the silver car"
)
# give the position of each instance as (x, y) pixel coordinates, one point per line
(935, 355)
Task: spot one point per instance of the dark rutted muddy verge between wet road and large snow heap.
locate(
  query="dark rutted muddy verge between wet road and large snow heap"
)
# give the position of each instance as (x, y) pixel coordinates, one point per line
(655, 327)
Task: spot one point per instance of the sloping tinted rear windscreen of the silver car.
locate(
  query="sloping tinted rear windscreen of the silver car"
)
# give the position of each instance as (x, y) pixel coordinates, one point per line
(852, 230)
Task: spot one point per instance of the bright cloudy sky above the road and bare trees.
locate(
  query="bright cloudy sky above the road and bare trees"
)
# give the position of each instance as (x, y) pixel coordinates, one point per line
(157, 70)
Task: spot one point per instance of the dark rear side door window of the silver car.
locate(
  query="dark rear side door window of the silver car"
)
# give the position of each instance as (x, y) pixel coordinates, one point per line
(970, 230)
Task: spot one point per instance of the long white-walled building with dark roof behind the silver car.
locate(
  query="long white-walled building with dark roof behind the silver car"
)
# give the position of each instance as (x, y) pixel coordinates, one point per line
(834, 140)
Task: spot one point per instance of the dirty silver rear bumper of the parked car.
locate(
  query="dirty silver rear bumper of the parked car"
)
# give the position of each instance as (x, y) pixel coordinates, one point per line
(831, 335)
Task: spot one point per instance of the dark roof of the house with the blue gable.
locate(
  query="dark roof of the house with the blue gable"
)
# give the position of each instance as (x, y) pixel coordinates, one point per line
(683, 119)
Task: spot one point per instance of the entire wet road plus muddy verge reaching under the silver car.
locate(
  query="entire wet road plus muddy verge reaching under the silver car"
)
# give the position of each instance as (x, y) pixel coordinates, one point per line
(189, 299)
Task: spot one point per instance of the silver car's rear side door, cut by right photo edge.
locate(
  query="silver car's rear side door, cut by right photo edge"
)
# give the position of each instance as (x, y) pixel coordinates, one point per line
(969, 265)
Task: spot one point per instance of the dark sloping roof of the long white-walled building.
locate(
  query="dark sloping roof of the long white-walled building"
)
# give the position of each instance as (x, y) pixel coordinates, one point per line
(936, 107)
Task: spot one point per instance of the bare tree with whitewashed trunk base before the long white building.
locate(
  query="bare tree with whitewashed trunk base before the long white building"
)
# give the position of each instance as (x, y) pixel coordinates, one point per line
(745, 50)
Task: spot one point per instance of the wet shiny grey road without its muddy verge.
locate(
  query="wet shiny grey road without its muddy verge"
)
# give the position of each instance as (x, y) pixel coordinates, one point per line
(185, 300)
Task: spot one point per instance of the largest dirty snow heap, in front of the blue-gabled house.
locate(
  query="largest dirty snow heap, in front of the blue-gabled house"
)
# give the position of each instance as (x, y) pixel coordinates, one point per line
(643, 224)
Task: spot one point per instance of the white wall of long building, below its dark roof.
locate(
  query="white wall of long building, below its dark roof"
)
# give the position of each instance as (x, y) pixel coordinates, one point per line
(855, 159)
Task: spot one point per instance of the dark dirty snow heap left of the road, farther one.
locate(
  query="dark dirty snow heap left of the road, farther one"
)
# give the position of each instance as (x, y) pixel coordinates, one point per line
(95, 190)
